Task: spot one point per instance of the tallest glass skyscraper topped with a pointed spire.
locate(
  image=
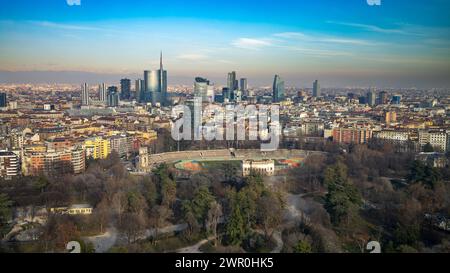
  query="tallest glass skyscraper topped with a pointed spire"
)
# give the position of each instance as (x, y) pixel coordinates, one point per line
(156, 85)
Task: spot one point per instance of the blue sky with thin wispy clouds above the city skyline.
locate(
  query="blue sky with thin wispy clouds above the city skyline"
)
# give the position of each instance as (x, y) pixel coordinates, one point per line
(400, 43)
